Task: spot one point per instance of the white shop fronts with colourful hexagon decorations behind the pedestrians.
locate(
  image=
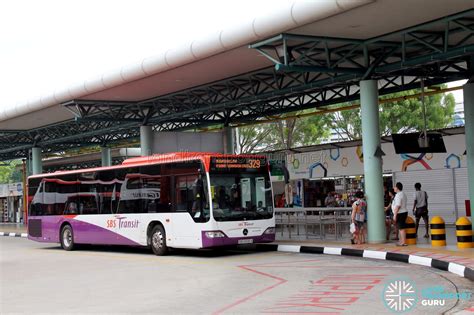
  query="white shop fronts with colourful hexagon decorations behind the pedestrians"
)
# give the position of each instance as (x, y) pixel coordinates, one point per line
(334, 175)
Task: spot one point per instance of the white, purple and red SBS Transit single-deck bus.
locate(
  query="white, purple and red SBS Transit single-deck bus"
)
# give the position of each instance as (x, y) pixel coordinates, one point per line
(175, 200)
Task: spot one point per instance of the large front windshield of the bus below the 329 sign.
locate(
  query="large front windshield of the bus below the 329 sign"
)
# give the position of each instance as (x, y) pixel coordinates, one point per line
(241, 193)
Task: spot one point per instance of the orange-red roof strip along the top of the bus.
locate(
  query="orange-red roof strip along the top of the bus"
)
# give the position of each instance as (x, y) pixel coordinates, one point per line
(204, 157)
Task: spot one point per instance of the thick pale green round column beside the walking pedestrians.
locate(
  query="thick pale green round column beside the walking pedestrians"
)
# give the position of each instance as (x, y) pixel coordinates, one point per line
(372, 160)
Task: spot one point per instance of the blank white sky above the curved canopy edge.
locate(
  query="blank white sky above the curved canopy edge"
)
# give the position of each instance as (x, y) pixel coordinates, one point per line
(51, 44)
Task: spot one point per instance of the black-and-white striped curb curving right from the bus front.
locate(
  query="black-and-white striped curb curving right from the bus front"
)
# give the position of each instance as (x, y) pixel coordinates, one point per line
(457, 269)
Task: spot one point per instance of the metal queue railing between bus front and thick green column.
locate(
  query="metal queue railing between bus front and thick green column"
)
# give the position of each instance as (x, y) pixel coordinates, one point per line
(312, 222)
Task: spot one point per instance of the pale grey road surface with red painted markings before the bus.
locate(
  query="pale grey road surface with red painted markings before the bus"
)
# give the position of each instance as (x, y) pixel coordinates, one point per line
(42, 278)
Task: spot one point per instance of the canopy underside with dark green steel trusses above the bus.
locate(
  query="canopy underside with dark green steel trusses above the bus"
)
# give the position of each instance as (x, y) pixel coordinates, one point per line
(318, 63)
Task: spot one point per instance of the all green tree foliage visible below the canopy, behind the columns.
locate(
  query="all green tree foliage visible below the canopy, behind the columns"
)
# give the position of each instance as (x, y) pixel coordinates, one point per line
(400, 116)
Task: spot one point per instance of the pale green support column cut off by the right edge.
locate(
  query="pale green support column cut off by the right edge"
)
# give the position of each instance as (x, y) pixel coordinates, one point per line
(468, 90)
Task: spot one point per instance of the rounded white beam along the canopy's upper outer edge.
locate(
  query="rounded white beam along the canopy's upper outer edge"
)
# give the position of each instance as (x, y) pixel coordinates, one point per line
(294, 14)
